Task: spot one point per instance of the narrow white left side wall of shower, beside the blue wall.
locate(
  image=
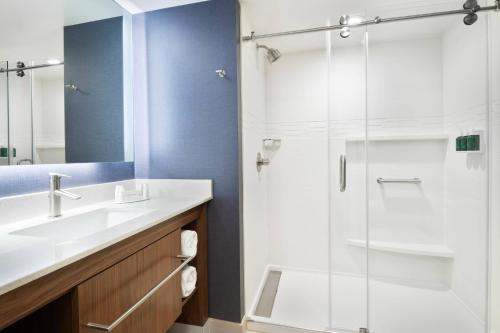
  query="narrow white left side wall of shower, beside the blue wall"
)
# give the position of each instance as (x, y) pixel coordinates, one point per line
(255, 227)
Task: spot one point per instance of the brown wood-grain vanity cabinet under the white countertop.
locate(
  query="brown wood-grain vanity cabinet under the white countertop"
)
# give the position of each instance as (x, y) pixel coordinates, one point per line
(130, 271)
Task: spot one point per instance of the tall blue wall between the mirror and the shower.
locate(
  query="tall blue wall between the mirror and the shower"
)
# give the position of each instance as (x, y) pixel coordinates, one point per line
(189, 123)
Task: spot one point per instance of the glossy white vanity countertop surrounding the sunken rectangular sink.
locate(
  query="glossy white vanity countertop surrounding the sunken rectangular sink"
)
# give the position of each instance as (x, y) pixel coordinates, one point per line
(25, 258)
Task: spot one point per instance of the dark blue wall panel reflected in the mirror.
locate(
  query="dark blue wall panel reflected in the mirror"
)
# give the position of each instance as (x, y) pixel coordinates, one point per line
(93, 56)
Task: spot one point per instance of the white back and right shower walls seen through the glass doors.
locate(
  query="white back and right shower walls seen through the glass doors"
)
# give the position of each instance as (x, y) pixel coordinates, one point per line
(432, 86)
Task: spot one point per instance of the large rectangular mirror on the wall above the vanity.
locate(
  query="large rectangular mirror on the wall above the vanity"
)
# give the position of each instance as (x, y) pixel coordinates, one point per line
(65, 82)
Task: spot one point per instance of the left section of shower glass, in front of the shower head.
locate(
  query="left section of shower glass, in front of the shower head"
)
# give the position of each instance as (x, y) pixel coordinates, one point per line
(292, 136)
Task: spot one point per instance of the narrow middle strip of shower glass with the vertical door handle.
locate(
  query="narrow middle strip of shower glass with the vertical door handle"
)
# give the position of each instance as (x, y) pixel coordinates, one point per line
(347, 163)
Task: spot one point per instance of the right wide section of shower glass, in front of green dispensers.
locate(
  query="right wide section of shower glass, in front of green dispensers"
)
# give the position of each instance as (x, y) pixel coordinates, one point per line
(427, 197)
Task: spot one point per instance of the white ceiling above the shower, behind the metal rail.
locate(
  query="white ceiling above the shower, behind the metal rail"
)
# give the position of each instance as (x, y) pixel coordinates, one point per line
(268, 16)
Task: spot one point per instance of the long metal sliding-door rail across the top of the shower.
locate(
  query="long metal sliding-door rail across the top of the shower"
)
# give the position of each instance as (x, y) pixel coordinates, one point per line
(375, 21)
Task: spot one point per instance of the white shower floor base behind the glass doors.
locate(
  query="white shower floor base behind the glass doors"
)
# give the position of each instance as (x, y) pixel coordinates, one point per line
(302, 302)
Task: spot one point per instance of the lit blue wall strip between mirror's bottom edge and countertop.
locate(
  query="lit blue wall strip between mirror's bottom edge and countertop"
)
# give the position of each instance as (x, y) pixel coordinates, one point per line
(15, 180)
